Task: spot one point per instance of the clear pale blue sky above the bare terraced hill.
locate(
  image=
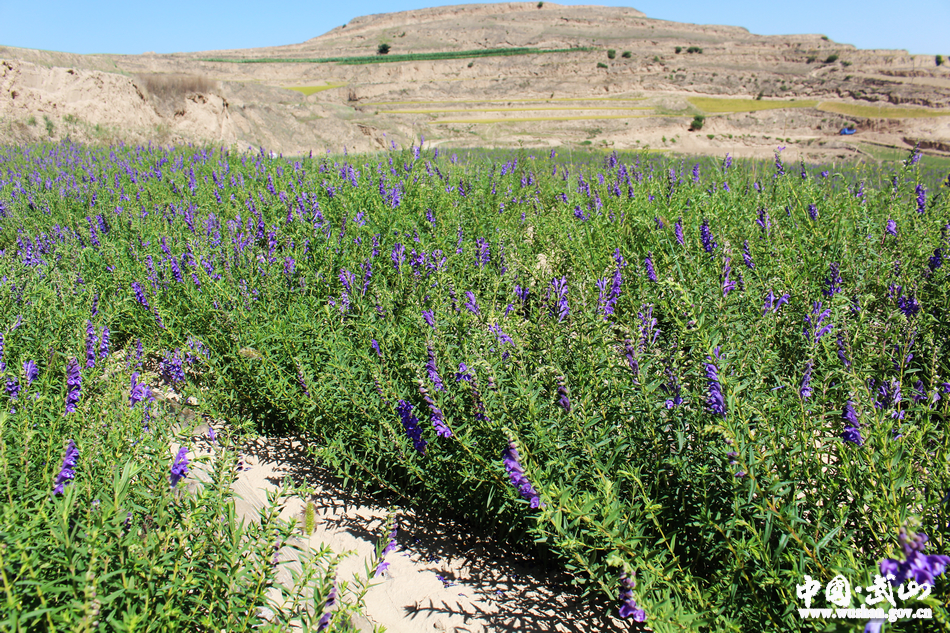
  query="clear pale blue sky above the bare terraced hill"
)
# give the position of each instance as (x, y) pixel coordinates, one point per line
(129, 27)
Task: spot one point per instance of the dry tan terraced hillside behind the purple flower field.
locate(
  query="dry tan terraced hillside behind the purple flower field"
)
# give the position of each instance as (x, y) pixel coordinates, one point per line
(580, 97)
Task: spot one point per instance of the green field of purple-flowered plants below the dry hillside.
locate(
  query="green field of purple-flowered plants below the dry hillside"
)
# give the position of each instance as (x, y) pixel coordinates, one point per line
(690, 382)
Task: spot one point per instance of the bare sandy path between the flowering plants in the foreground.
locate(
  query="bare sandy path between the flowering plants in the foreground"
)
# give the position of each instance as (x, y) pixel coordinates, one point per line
(441, 577)
